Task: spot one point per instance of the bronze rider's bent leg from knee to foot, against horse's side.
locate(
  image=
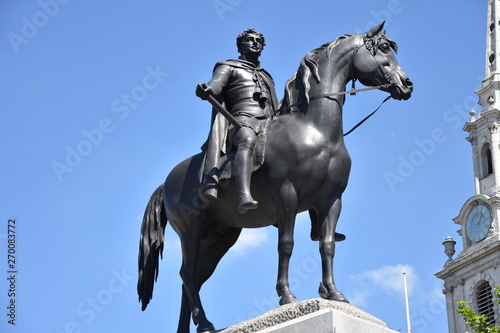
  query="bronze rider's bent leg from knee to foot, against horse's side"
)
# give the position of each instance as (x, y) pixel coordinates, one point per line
(244, 140)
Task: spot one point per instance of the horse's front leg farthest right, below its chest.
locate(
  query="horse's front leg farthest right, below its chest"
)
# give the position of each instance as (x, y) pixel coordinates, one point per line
(327, 226)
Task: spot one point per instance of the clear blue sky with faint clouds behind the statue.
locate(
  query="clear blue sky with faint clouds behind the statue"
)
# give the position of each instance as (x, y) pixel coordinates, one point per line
(98, 106)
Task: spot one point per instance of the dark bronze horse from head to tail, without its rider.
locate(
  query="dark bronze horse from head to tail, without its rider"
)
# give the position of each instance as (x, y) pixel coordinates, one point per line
(306, 168)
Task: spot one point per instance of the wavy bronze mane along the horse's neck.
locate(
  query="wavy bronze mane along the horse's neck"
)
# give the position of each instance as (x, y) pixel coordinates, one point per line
(297, 88)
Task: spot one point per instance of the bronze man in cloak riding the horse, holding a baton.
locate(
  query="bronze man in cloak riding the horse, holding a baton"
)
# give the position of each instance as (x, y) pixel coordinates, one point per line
(247, 92)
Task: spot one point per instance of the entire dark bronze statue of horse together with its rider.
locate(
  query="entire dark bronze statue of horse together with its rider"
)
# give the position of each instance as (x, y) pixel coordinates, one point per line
(264, 163)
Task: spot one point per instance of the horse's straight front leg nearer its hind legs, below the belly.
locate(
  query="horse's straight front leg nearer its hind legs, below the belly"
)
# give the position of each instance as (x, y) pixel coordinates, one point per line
(287, 211)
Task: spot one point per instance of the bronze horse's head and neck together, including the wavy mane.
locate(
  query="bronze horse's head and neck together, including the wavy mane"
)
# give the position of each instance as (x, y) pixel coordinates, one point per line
(367, 57)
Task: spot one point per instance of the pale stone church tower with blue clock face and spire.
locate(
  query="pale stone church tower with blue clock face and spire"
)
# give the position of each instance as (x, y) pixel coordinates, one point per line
(474, 273)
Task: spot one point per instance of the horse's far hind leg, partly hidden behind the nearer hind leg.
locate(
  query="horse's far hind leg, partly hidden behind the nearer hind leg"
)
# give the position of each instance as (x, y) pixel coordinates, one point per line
(210, 255)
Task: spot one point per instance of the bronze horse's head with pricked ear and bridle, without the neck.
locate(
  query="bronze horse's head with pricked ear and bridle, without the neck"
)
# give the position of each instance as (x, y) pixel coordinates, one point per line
(375, 64)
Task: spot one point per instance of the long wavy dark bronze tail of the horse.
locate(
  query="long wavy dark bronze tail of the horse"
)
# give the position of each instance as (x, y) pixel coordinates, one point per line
(151, 245)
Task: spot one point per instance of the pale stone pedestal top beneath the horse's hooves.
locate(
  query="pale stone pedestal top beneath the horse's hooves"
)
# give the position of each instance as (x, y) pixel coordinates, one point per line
(314, 315)
